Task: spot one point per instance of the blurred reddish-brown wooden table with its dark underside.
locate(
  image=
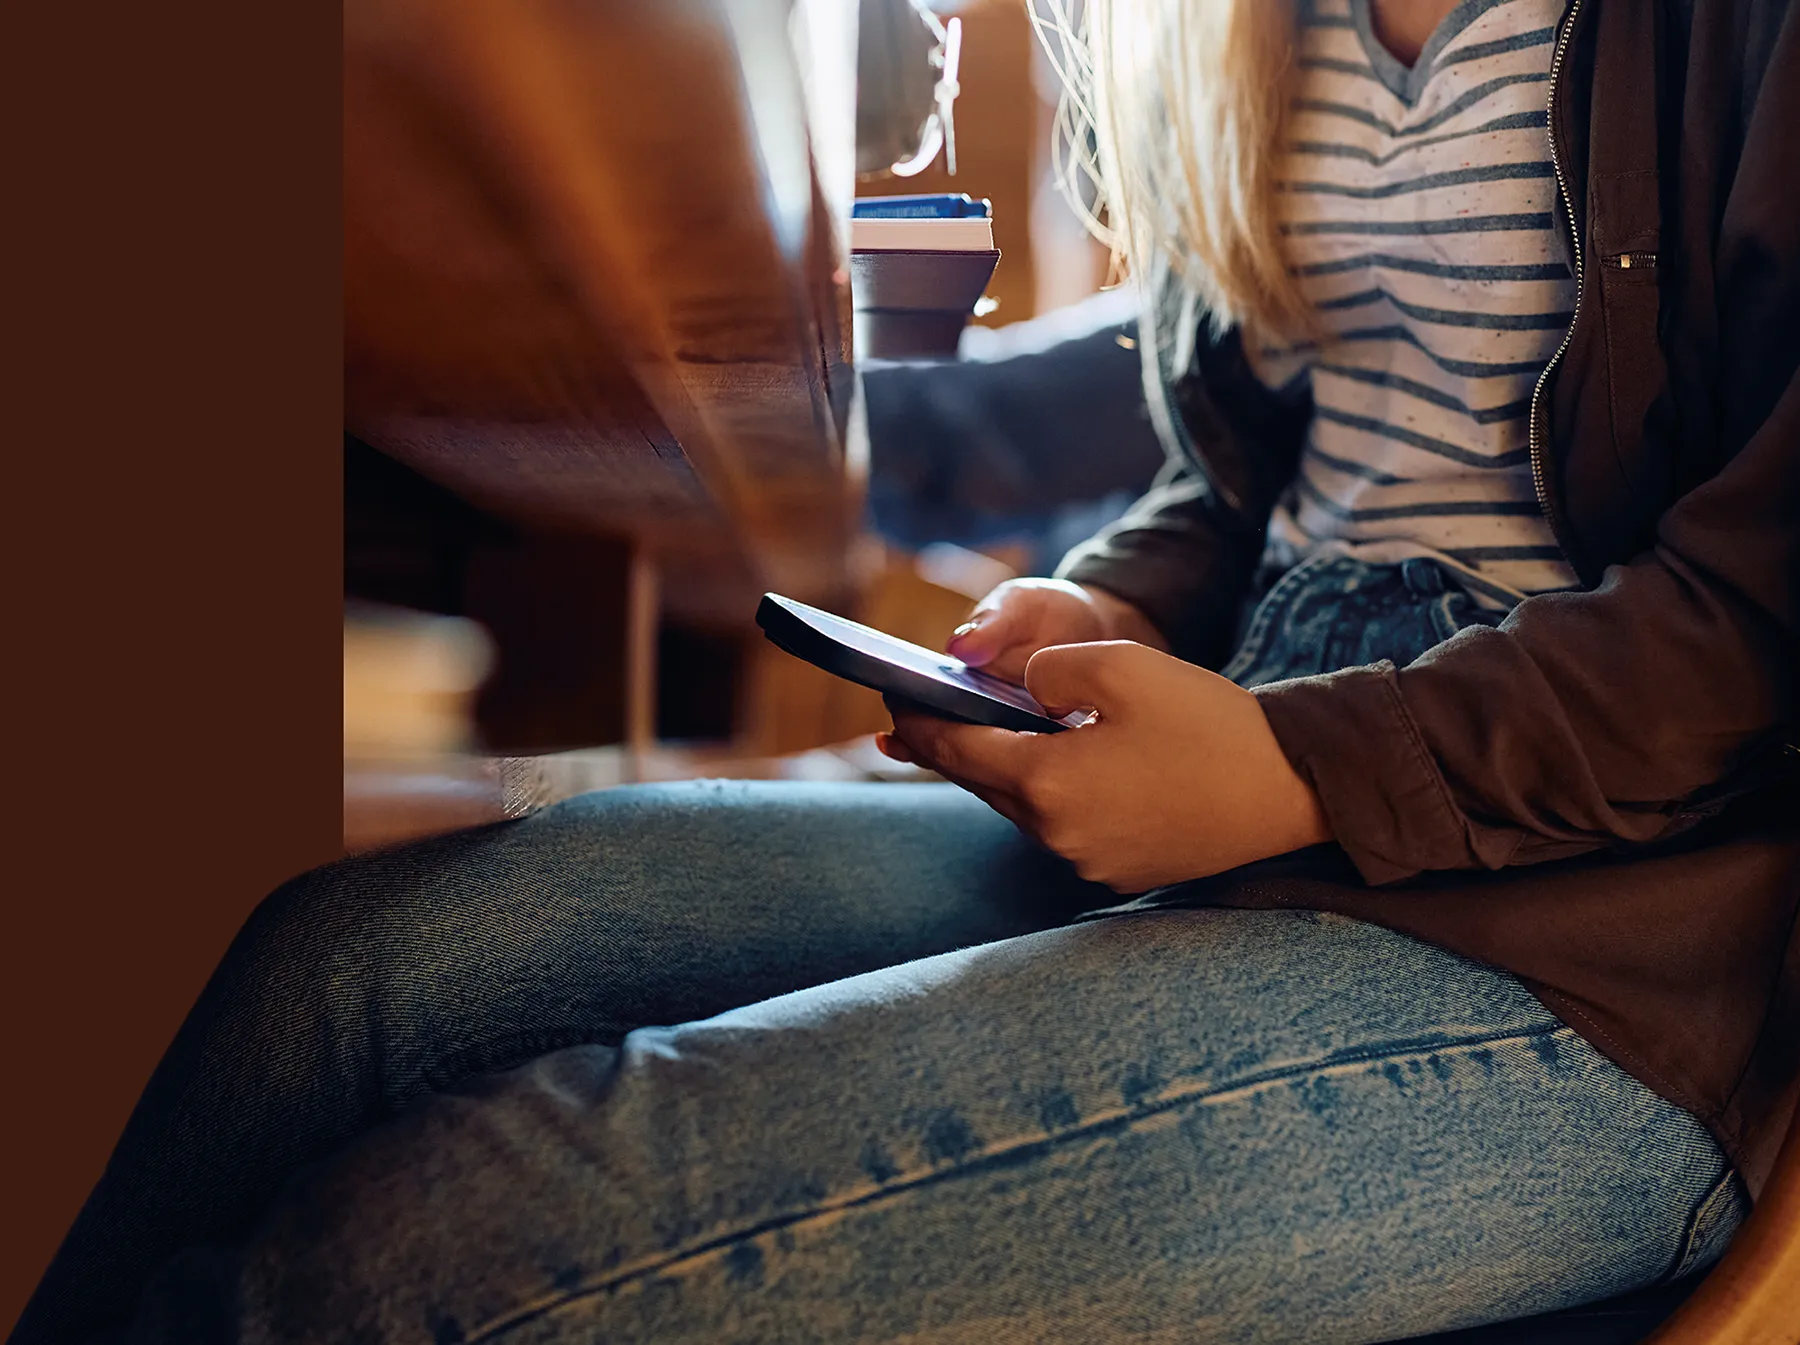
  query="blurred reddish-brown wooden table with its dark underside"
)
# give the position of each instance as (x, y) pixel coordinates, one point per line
(597, 314)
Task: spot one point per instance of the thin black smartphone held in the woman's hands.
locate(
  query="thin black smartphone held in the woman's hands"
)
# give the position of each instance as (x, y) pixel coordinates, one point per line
(937, 682)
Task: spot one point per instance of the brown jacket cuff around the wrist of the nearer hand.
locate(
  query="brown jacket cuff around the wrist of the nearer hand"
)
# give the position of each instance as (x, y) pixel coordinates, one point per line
(1353, 739)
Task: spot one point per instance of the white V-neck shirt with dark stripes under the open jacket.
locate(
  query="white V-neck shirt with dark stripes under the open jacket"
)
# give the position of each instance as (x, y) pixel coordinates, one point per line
(1417, 208)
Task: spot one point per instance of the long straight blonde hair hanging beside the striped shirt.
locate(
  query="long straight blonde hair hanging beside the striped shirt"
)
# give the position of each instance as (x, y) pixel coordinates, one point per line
(1169, 138)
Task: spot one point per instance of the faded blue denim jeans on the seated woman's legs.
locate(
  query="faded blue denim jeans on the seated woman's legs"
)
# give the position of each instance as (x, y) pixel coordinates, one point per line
(912, 1094)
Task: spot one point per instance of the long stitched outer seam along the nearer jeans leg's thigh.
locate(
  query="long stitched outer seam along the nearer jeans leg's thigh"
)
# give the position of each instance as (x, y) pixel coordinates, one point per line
(1108, 1124)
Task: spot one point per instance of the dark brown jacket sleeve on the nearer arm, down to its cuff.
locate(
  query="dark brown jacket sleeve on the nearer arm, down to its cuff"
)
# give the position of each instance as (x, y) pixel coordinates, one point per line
(1621, 714)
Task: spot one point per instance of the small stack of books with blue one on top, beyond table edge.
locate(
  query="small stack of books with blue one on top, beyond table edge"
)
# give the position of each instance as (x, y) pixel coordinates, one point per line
(917, 273)
